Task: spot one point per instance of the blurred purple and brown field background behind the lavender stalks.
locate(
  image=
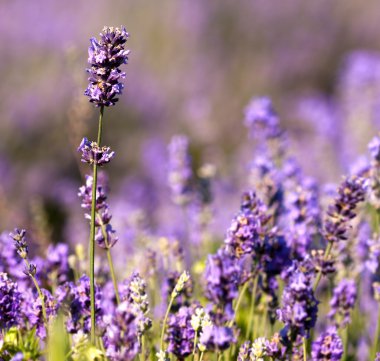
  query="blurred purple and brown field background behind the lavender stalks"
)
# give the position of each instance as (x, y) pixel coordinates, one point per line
(194, 66)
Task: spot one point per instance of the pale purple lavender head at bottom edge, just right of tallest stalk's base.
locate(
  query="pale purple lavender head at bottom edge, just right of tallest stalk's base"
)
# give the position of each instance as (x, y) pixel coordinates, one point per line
(121, 336)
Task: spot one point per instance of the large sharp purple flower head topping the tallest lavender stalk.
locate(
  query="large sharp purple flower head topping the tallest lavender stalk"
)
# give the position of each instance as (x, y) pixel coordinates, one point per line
(105, 56)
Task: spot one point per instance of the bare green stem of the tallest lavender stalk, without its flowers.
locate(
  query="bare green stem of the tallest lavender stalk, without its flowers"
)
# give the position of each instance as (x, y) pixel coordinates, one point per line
(92, 233)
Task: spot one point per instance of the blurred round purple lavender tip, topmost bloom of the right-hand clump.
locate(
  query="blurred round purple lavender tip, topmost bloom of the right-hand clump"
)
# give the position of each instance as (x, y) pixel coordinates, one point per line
(261, 118)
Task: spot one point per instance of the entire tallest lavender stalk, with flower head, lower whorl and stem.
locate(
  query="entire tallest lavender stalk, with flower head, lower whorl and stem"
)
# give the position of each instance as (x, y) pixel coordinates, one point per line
(105, 58)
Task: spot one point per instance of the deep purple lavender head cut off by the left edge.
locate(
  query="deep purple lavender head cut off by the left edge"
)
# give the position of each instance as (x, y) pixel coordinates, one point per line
(10, 300)
